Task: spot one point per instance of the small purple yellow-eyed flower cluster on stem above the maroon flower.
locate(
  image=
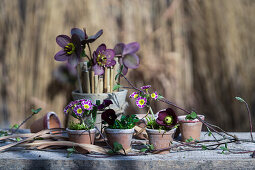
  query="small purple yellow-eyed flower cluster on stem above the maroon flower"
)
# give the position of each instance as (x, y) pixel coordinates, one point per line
(143, 98)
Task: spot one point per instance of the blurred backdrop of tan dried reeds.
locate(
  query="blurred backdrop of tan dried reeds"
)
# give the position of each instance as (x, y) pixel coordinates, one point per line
(198, 54)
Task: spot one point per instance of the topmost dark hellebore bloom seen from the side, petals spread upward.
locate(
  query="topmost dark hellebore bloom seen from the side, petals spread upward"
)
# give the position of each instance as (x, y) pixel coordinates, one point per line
(84, 37)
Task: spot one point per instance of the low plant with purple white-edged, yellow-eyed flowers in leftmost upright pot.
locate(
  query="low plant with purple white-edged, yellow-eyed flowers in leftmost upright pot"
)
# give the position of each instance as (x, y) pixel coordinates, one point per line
(85, 111)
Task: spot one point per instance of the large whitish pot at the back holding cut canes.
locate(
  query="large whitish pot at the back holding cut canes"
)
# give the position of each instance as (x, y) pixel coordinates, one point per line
(118, 99)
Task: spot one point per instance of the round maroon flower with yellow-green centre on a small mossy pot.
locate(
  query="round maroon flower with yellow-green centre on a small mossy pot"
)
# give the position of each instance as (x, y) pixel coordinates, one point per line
(167, 118)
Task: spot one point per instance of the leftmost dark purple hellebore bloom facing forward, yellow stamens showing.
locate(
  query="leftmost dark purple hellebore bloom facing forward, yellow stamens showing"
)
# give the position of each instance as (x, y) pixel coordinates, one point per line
(71, 49)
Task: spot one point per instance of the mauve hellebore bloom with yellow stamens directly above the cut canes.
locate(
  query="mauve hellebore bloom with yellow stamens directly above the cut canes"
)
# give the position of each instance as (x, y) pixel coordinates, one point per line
(103, 57)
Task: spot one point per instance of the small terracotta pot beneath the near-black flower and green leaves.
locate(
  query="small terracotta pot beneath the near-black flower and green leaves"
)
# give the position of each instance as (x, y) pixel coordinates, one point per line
(122, 136)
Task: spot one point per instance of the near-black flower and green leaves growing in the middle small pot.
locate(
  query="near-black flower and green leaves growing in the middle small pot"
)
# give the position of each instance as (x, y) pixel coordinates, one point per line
(126, 121)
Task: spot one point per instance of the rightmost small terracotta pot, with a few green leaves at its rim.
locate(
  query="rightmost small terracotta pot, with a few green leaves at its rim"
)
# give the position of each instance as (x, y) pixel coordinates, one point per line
(190, 128)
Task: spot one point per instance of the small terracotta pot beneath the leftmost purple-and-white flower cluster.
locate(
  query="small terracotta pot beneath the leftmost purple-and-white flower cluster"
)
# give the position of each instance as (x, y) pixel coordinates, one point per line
(82, 136)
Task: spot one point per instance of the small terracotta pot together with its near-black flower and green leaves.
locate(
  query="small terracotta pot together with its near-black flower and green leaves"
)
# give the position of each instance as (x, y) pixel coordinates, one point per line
(119, 132)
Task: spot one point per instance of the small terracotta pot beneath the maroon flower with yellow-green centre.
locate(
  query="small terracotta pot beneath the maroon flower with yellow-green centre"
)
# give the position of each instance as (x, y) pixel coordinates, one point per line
(160, 139)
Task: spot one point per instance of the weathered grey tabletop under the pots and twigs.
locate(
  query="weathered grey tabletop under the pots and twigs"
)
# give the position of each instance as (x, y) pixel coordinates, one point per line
(176, 159)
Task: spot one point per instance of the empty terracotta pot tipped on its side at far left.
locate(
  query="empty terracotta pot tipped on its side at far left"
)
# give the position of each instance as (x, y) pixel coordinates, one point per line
(48, 121)
